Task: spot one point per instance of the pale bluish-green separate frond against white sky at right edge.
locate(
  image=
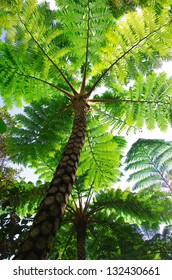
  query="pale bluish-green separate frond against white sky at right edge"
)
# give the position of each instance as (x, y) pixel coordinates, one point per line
(149, 162)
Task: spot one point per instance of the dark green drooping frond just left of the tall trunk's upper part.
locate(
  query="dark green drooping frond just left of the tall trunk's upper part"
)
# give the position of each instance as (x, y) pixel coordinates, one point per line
(30, 140)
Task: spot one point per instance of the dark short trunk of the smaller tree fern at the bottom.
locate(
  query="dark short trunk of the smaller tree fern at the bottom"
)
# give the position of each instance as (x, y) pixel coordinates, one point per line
(80, 228)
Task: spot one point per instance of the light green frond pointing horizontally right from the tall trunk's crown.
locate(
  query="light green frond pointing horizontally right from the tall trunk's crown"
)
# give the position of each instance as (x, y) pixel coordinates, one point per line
(146, 102)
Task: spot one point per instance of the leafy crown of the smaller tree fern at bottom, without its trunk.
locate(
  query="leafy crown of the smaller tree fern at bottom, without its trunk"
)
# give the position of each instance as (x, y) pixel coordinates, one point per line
(108, 213)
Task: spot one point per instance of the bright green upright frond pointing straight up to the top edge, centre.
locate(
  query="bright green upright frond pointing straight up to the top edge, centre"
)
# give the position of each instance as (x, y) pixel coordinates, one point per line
(83, 23)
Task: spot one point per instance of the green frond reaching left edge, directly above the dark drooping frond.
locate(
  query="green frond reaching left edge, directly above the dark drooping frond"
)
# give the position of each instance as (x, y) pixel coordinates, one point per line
(18, 78)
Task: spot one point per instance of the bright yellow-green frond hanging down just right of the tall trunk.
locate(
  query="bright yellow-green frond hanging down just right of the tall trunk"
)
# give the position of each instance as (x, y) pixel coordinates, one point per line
(101, 156)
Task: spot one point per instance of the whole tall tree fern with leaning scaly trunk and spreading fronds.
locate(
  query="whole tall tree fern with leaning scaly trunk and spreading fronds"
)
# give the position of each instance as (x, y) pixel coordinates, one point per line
(71, 51)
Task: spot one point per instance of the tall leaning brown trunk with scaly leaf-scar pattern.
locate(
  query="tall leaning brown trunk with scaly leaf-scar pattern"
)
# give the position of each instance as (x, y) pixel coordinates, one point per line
(47, 221)
